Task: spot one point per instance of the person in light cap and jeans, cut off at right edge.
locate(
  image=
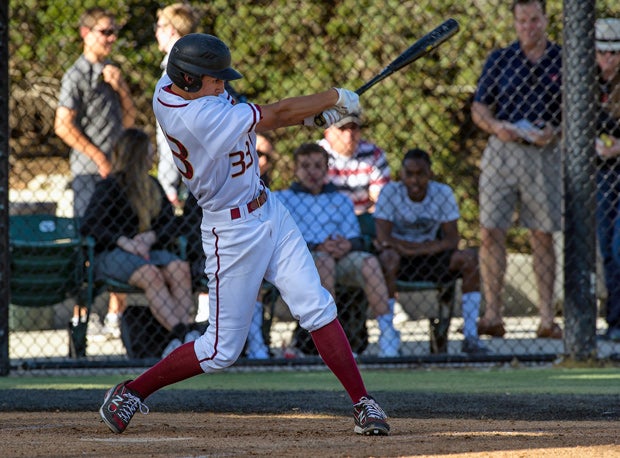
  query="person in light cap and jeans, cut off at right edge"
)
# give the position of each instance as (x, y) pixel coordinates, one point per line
(608, 167)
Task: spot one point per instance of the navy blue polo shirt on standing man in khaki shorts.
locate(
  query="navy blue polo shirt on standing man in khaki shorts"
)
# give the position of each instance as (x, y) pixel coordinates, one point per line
(516, 88)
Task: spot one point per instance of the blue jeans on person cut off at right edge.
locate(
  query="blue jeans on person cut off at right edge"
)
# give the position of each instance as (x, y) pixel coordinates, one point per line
(608, 232)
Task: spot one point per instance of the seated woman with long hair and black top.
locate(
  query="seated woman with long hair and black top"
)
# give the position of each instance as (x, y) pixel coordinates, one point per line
(130, 219)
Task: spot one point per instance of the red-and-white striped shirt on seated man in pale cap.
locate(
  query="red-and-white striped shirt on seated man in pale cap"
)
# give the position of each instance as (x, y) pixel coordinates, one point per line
(355, 176)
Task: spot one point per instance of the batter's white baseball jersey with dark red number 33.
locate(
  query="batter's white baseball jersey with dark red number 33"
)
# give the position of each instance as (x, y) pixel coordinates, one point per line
(218, 162)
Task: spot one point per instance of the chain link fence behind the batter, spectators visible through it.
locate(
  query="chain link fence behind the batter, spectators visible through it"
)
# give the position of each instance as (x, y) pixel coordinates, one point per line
(512, 149)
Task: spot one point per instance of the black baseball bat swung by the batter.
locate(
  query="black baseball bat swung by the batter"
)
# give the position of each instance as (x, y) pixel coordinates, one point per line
(419, 49)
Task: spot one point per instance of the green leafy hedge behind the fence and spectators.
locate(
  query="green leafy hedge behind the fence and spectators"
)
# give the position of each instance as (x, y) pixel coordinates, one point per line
(291, 48)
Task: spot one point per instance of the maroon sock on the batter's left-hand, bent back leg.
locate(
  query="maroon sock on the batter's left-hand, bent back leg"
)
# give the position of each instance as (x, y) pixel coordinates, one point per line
(179, 365)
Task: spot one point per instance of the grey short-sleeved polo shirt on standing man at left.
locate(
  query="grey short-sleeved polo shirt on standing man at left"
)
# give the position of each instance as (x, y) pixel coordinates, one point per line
(98, 109)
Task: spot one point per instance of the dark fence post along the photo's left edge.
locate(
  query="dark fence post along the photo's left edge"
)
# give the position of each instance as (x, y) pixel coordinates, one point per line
(4, 189)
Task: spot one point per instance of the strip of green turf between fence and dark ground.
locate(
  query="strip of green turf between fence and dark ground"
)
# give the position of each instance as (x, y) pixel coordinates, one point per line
(579, 381)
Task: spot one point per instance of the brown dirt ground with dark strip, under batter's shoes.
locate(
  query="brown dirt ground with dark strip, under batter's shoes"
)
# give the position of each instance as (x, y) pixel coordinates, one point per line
(42, 423)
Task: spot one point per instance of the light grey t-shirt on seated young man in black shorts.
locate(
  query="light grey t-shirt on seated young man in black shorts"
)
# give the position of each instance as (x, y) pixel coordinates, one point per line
(416, 221)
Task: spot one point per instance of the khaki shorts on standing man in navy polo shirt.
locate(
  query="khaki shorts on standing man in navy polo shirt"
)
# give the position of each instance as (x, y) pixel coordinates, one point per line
(524, 177)
